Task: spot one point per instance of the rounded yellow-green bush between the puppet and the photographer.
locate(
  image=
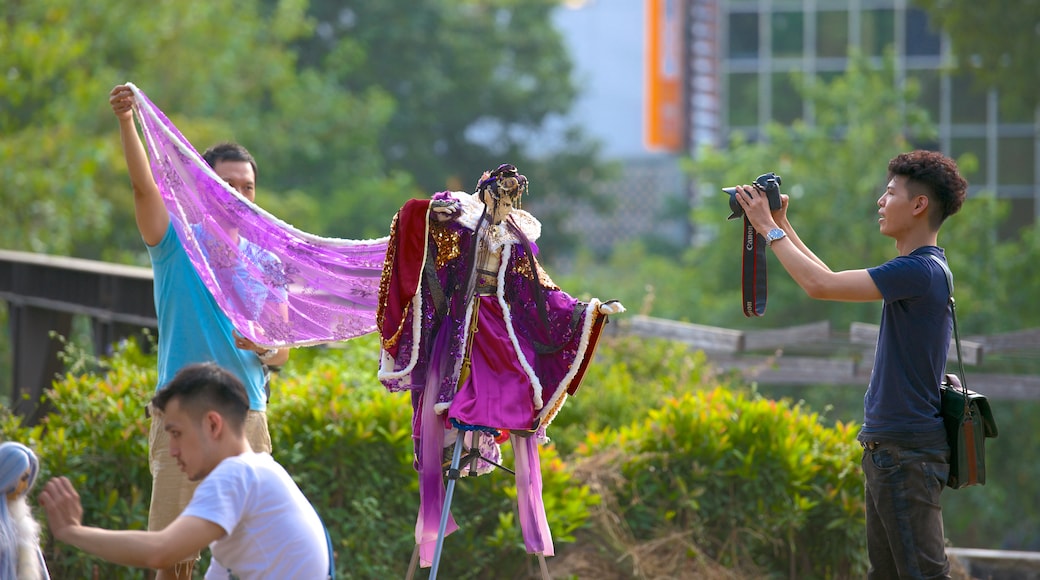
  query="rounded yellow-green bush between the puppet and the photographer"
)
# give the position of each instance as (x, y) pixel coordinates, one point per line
(758, 483)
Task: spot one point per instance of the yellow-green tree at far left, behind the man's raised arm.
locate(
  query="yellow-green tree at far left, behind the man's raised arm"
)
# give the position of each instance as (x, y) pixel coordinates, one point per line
(66, 191)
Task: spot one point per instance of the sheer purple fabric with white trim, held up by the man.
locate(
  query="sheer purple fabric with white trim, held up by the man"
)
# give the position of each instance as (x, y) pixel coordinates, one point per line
(280, 286)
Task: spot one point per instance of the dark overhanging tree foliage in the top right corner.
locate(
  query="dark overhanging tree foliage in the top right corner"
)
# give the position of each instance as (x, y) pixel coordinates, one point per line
(998, 43)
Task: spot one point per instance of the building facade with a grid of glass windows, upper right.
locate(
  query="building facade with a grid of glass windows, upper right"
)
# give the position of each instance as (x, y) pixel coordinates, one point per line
(763, 42)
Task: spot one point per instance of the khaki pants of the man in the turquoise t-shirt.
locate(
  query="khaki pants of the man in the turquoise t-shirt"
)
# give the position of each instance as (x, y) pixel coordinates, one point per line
(171, 488)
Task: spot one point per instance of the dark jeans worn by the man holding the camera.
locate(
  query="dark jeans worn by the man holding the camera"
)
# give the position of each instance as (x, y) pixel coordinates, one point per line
(904, 518)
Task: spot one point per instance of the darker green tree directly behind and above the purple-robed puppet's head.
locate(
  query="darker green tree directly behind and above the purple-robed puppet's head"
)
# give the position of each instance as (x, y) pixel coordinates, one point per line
(473, 84)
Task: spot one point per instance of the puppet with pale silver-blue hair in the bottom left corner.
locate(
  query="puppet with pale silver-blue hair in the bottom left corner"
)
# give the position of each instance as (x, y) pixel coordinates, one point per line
(20, 555)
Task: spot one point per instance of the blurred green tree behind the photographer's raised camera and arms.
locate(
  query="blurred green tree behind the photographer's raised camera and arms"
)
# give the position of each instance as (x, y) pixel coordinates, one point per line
(834, 169)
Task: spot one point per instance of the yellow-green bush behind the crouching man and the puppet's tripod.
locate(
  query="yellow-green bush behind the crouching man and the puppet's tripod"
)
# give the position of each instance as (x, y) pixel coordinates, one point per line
(334, 428)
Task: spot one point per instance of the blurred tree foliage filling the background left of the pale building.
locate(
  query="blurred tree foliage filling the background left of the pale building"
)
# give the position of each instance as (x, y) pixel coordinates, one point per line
(350, 108)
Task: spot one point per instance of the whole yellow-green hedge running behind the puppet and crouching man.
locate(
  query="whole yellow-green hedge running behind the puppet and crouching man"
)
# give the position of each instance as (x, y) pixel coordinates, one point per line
(752, 484)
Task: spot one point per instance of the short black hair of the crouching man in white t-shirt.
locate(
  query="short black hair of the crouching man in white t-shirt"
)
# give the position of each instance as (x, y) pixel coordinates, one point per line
(206, 387)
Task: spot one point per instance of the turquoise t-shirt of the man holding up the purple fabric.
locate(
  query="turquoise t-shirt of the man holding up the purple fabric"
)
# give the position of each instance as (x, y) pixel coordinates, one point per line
(193, 329)
